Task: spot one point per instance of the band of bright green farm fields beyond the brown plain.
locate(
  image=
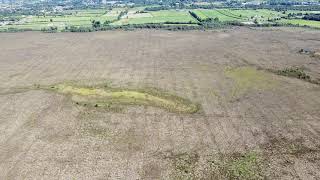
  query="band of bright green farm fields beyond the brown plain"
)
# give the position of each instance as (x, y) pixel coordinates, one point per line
(137, 15)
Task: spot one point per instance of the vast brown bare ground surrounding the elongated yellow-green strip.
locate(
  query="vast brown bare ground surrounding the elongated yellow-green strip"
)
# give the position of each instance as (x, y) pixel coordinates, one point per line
(253, 124)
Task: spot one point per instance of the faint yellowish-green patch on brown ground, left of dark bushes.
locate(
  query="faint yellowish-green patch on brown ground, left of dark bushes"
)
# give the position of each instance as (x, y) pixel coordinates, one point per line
(249, 78)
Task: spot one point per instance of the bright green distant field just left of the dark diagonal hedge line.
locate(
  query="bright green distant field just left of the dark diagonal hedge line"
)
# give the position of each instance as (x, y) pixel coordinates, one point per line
(181, 16)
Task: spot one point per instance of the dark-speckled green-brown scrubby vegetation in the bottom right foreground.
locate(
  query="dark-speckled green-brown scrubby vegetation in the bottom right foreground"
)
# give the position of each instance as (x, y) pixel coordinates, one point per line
(249, 165)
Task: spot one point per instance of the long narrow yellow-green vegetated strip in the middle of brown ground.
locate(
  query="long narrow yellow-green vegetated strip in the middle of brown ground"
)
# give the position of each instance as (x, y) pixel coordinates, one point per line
(106, 97)
